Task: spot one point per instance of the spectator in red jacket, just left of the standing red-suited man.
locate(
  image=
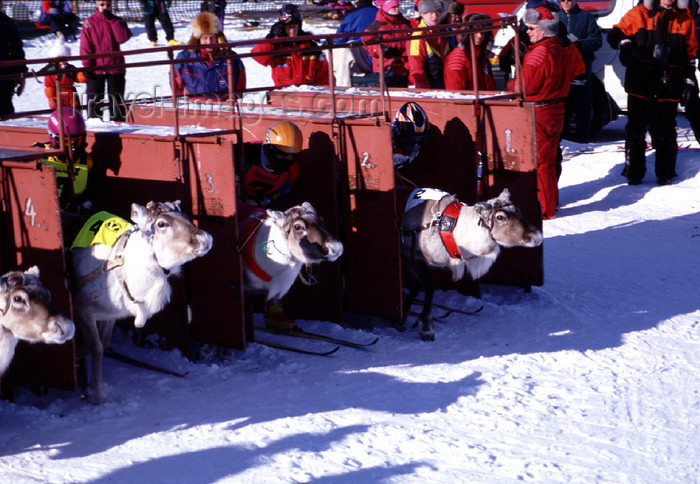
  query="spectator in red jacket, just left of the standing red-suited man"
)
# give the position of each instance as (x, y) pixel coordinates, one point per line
(458, 68)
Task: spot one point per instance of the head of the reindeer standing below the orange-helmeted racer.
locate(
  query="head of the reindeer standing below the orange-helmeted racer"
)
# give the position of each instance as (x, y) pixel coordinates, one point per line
(308, 240)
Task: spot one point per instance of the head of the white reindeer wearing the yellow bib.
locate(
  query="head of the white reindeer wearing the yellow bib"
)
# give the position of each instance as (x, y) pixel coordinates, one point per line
(175, 240)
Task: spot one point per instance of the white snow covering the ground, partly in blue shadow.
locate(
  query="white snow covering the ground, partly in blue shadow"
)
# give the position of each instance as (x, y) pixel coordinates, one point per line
(592, 377)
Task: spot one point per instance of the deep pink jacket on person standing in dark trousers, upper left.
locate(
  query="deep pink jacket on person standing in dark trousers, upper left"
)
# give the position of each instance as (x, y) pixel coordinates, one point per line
(101, 35)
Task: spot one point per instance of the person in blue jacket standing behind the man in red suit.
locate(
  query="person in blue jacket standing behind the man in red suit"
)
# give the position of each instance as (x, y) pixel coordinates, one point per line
(583, 30)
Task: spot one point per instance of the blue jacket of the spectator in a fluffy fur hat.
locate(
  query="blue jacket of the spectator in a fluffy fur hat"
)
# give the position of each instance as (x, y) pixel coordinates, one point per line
(200, 77)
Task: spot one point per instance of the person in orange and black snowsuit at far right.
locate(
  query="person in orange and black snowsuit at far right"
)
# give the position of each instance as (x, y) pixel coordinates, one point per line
(657, 43)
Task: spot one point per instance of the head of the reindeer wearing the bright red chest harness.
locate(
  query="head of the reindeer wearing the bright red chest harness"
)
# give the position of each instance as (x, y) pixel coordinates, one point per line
(507, 226)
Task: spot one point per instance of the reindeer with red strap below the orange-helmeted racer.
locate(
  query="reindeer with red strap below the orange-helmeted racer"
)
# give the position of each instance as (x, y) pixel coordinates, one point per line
(275, 246)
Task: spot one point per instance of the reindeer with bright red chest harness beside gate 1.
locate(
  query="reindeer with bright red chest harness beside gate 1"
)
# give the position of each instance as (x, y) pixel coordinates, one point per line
(438, 231)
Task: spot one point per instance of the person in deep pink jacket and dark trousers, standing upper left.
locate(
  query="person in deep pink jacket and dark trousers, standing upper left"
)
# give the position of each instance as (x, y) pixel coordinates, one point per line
(104, 32)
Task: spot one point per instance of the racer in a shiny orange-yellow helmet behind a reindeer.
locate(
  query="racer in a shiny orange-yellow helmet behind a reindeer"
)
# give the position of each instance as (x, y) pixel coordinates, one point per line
(272, 167)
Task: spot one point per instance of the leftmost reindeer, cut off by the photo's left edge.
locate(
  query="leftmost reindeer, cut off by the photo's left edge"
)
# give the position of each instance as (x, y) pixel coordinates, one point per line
(27, 313)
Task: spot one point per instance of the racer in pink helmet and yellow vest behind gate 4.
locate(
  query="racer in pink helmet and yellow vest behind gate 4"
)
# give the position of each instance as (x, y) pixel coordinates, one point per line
(74, 164)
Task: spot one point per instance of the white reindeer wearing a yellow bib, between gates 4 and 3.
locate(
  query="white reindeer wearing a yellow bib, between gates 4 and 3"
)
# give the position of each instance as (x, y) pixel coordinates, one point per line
(130, 278)
